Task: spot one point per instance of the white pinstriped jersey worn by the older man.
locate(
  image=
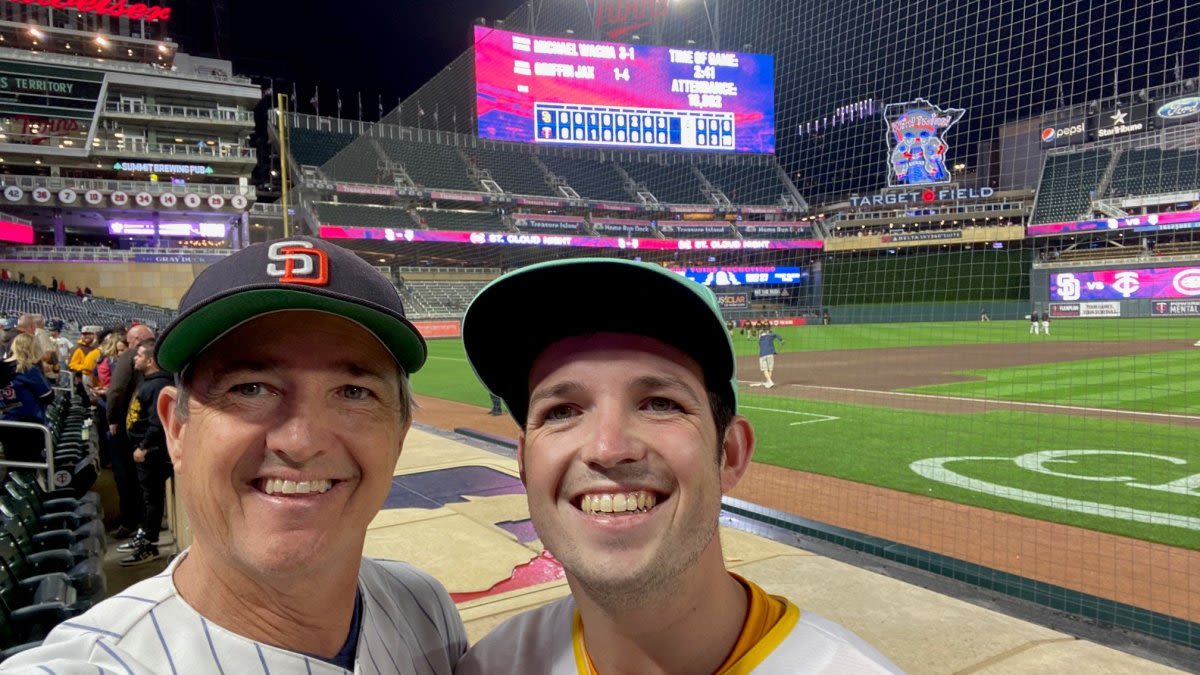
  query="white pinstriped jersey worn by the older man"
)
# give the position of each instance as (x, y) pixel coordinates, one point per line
(409, 626)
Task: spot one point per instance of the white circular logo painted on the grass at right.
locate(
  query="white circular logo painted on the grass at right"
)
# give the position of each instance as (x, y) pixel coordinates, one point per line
(935, 470)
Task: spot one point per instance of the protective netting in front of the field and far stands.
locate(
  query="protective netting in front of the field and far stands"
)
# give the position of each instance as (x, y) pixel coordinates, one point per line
(976, 237)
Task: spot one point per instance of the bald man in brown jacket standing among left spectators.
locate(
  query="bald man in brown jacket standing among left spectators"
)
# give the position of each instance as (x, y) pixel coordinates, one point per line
(125, 383)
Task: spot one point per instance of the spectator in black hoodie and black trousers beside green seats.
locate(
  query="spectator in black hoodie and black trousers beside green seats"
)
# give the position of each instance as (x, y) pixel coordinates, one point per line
(145, 429)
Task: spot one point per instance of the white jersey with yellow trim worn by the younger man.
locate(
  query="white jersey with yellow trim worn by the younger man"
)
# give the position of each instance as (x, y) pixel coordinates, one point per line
(549, 641)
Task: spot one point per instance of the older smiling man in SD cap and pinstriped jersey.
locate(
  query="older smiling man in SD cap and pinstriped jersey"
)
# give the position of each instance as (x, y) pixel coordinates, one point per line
(290, 411)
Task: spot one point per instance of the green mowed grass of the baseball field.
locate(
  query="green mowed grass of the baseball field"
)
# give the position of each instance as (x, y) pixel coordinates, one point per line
(1149, 498)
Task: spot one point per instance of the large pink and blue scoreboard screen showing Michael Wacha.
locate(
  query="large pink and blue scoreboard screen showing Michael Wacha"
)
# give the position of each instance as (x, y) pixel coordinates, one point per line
(537, 89)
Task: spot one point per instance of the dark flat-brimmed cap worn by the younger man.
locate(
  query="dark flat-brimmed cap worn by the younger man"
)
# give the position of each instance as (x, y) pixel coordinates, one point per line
(586, 296)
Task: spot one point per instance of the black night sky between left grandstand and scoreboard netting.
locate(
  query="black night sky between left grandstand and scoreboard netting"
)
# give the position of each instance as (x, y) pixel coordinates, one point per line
(383, 50)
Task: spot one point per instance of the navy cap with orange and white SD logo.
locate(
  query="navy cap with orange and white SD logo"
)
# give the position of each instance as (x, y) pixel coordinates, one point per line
(302, 273)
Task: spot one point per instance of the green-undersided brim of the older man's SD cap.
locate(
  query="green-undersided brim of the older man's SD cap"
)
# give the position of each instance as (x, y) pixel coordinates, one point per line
(184, 341)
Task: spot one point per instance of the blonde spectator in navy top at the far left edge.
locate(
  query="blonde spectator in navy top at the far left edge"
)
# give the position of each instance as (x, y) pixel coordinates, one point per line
(26, 401)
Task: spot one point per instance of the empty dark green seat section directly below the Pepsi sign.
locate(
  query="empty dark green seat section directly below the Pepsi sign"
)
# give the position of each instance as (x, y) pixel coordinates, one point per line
(1069, 183)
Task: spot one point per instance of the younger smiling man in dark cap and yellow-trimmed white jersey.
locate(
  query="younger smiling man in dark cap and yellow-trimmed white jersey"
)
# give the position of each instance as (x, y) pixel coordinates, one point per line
(629, 438)
